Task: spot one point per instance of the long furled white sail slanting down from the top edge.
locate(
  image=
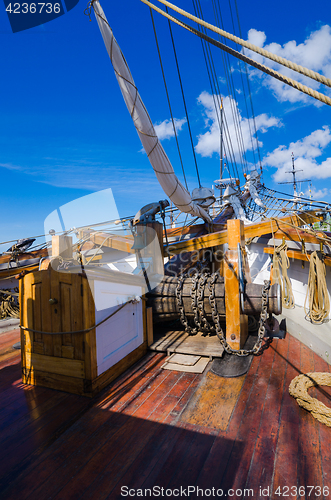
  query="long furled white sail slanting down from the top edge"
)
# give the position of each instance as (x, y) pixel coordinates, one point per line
(155, 152)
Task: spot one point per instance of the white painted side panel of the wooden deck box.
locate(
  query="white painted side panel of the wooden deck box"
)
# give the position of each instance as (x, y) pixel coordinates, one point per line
(123, 332)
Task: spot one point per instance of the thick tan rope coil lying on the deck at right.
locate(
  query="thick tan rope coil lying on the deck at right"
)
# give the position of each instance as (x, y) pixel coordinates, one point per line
(299, 390)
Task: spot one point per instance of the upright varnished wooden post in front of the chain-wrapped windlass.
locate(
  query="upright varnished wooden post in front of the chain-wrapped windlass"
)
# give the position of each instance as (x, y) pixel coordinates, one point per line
(236, 322)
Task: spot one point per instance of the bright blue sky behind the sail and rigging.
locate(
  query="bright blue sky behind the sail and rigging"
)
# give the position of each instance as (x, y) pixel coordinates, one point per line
(65, 131)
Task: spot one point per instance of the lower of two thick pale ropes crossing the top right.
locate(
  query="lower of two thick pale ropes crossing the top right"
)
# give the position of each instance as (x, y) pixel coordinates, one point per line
(262, 67)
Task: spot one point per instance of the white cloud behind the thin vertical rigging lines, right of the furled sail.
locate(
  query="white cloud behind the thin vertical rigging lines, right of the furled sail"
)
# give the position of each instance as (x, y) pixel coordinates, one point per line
(209, 142)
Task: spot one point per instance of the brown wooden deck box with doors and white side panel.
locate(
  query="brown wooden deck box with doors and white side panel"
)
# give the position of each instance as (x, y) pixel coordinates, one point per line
(80, 363)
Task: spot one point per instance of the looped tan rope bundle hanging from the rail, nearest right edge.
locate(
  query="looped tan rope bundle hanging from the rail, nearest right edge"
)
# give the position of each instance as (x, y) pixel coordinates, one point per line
(317, 291)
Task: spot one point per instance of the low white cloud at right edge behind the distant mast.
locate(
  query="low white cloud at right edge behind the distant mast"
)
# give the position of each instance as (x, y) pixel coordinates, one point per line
(306, 151)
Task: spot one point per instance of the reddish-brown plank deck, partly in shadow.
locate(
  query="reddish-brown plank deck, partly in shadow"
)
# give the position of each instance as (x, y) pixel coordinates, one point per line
(137, 433)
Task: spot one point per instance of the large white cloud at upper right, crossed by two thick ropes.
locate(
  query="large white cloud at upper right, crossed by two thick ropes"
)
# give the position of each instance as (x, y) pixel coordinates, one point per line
(314, 53)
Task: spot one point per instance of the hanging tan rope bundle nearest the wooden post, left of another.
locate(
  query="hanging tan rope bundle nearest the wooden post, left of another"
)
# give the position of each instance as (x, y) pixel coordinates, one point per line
(281, 264)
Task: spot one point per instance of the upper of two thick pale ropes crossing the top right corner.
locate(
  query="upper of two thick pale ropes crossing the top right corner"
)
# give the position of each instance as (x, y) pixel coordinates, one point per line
(280, 60)
